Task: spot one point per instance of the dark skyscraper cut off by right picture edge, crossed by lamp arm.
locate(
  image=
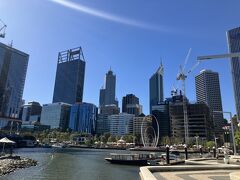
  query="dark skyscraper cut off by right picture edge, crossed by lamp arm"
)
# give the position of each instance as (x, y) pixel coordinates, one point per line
(233, 37)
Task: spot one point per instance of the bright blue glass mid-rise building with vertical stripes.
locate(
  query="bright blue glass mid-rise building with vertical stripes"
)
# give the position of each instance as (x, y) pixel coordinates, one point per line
(83, 118)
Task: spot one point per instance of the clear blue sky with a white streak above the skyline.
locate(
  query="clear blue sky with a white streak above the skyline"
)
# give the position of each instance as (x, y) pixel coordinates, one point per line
(130, 36)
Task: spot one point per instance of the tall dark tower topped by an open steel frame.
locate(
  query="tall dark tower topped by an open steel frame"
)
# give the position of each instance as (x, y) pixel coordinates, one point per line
(70, 74)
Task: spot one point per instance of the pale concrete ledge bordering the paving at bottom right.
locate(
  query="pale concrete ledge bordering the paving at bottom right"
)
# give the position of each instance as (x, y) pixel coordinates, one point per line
(146, 172)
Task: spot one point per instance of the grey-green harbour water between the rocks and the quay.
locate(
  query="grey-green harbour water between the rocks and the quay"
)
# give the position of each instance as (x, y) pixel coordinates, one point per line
(72, 164)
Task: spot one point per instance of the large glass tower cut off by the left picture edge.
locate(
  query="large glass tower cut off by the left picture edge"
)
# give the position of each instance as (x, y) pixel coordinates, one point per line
(13, 68)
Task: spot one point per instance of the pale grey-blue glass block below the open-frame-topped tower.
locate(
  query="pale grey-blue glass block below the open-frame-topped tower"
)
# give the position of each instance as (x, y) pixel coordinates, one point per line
(56, 115)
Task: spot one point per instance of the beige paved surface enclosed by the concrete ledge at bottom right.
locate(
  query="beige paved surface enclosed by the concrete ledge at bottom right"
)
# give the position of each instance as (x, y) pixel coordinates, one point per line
(194, 175)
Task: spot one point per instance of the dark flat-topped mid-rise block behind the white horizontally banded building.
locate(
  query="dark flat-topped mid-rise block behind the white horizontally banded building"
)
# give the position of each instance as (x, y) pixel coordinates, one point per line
(130, 105)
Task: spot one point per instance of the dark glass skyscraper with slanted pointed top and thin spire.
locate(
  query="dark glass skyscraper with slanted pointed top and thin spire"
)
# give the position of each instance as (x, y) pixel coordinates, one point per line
(156, 87)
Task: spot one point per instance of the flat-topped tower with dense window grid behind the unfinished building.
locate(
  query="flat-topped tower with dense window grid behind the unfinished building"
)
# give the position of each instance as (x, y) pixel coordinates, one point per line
(208, 91)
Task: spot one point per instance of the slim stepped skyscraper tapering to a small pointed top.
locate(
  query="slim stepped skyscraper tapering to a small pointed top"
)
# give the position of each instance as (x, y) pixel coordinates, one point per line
(107, 93)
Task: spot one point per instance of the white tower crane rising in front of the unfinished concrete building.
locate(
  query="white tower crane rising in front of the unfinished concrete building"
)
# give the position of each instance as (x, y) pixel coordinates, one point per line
(182, 75)
